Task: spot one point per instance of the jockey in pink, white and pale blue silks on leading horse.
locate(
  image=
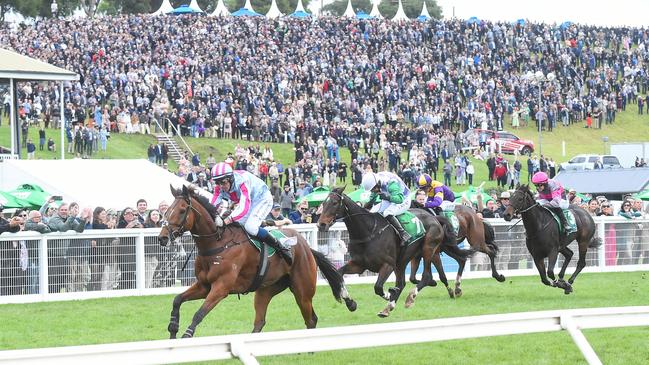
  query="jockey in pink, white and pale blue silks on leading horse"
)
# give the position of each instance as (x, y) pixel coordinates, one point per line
(253, 200)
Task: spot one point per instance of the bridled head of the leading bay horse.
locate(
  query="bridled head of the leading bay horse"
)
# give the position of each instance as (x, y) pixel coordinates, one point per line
(179, 218)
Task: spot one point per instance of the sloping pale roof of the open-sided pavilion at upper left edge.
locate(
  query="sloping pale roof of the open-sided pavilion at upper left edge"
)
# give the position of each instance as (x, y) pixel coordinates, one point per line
(17, 66)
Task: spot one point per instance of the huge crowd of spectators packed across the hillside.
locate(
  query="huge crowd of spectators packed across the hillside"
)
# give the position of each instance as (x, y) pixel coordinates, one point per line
(323, 85)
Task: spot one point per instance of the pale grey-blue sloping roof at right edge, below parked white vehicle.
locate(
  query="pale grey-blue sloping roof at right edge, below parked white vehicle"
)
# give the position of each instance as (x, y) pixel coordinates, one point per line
(606, 181)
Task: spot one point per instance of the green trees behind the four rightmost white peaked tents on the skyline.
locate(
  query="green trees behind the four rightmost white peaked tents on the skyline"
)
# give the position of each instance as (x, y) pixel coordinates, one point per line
(388, 8)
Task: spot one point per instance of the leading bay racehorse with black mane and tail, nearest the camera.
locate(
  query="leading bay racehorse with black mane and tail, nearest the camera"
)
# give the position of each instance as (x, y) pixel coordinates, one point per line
(228, 263)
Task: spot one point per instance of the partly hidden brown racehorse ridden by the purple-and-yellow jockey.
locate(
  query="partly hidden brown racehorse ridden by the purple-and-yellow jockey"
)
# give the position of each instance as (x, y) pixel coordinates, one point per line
(481, 238)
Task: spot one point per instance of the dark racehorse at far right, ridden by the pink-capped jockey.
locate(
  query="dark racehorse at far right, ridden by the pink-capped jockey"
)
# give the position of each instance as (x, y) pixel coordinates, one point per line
(543, 238)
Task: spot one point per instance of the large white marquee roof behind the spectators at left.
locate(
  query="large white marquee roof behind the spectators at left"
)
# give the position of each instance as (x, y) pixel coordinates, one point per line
(112, 184)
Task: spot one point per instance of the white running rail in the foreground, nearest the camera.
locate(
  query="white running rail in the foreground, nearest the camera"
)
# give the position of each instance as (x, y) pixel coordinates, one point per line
(247, 347)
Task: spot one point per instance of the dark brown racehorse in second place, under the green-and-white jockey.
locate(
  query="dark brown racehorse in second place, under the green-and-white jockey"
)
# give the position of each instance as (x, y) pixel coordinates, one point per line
(374, 244)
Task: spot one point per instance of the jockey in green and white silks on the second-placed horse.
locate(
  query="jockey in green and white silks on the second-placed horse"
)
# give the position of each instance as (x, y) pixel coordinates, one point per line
(395, 198)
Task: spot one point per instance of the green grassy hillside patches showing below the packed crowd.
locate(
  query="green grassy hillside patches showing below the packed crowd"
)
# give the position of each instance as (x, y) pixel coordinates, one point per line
(628, 127)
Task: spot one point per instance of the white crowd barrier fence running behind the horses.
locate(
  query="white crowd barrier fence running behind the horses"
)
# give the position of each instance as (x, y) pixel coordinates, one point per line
(122, 262)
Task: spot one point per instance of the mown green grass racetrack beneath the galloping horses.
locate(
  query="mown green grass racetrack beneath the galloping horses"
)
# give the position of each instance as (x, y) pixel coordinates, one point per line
(146, 318)
